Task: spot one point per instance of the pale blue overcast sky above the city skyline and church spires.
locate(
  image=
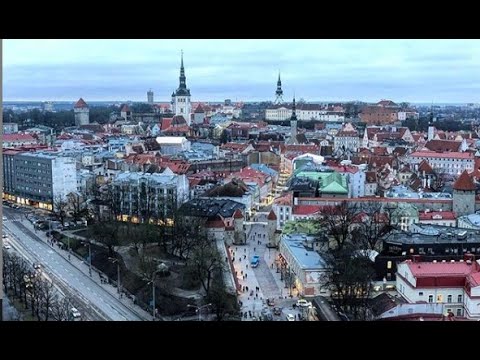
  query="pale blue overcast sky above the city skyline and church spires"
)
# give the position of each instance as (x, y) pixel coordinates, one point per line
(368, 70)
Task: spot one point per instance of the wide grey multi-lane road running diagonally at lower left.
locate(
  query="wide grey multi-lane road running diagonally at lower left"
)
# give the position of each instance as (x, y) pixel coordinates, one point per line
(96, 300)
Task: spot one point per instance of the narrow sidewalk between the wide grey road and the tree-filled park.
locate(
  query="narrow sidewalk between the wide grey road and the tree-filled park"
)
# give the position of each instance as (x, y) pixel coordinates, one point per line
(84, 268)
